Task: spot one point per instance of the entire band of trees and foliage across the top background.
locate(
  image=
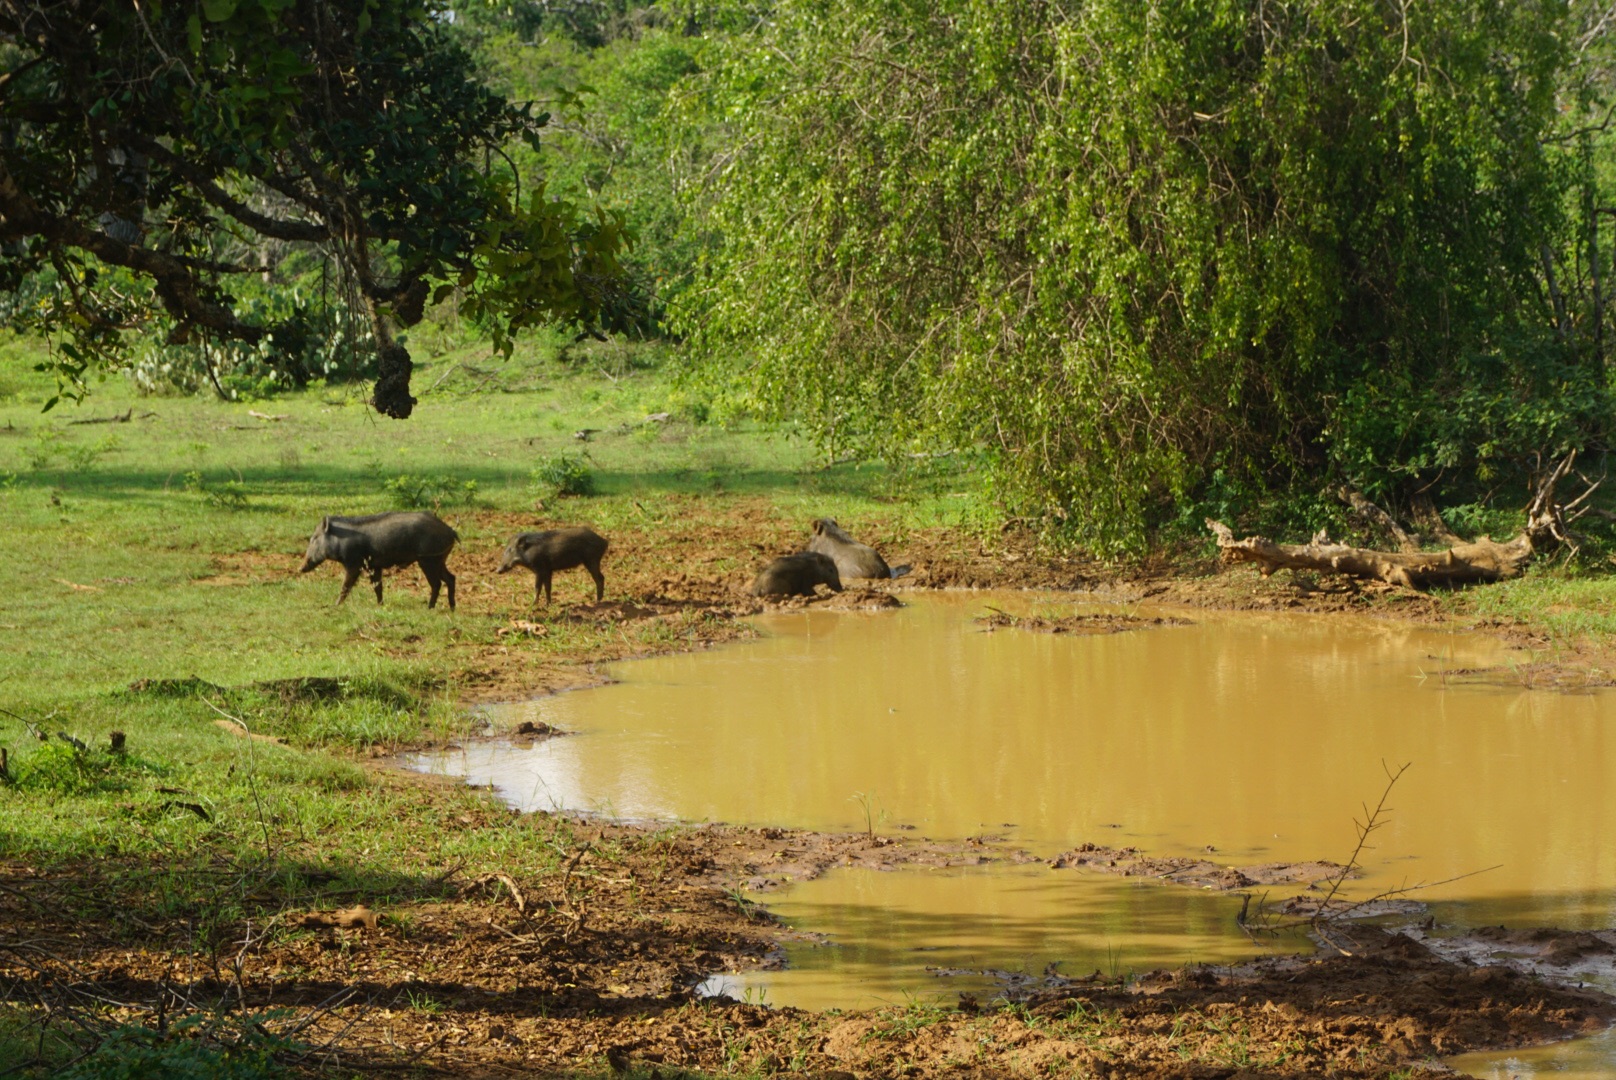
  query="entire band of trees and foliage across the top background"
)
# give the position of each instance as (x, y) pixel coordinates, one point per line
(1140, 261)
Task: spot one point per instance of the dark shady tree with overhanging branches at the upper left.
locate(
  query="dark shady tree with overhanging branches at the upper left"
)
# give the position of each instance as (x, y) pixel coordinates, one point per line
(158, 153)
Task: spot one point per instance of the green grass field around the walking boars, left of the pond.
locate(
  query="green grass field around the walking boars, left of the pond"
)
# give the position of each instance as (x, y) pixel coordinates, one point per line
(151, 589)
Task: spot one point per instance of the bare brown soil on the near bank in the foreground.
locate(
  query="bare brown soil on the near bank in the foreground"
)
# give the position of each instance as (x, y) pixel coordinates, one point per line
(531, 972)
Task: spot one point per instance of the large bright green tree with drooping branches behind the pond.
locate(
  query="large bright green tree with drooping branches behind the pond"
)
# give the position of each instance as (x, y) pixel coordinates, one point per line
(1148, 251)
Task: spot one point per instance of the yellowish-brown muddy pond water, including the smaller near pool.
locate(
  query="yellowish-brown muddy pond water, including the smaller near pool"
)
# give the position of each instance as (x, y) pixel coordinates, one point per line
(1258, 736)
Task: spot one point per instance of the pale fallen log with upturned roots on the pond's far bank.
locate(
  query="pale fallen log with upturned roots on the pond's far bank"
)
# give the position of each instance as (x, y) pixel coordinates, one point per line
(1479, 562)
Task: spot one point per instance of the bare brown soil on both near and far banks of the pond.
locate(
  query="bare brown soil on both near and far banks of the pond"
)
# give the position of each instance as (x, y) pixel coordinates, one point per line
(594, 968)
